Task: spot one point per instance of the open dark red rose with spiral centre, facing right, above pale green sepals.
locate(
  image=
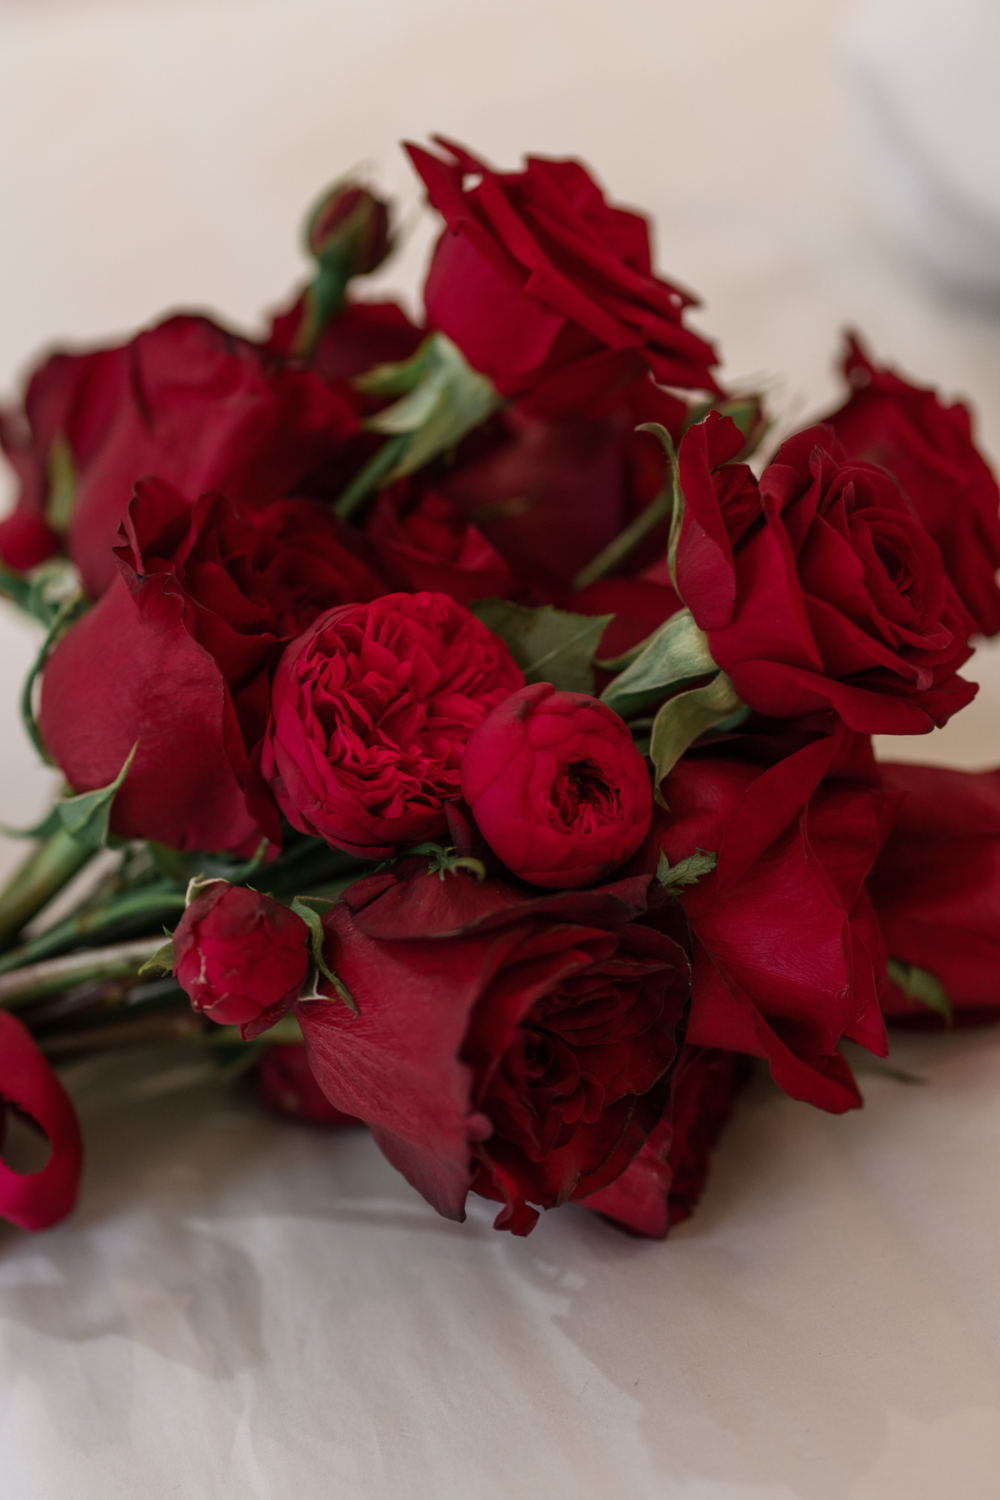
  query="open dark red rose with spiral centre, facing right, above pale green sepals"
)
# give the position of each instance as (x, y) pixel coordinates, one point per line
(818, 587)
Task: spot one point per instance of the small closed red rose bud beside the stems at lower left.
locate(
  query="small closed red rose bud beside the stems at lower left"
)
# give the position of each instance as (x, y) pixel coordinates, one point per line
(241, 956)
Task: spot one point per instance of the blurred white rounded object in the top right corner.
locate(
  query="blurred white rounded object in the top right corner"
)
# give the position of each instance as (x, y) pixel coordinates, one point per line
(927, 97)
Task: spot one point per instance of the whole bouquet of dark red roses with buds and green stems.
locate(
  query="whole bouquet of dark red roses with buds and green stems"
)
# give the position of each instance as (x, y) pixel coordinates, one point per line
(467, 727)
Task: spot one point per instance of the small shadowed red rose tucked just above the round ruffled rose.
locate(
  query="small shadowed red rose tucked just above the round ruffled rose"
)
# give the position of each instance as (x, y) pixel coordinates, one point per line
(430, 545)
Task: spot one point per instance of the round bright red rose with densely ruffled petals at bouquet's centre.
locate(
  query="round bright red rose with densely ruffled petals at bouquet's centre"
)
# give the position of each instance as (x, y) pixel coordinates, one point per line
(371, 713)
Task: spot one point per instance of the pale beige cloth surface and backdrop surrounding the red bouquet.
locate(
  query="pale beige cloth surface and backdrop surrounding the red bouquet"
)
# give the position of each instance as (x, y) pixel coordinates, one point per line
(248, 1309)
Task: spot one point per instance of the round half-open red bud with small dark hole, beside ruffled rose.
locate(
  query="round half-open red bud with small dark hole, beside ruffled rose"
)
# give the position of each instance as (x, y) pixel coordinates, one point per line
(557, 787)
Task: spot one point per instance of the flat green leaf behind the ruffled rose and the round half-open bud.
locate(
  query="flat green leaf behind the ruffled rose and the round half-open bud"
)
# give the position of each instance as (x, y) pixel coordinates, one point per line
(548, 644)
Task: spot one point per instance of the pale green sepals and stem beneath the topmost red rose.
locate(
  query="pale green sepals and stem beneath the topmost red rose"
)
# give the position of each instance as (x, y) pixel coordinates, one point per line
(442, 398)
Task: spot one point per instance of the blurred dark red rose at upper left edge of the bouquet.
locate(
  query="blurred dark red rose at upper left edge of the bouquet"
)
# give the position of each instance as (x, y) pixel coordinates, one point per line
(185, 401)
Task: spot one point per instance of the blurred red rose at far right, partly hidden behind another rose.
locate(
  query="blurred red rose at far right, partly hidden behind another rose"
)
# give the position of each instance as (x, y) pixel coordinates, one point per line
(930, 449)
